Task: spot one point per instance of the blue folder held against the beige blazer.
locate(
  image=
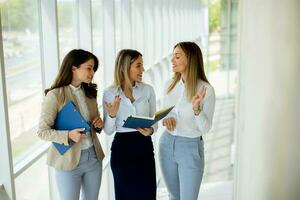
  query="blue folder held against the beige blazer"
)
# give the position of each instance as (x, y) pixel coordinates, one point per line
(69, 118)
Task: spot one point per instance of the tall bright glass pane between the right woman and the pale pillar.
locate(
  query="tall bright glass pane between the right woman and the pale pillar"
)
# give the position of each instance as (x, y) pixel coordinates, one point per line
(222, 75)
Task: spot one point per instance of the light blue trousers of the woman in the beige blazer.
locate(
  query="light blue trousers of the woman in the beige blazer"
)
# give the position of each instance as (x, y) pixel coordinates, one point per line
(87, 175)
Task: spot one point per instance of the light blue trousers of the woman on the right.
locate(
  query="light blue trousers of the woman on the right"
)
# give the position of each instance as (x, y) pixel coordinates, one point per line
(182, 163)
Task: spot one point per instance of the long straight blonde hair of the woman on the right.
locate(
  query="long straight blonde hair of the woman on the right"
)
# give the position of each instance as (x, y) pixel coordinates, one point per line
(194, 69)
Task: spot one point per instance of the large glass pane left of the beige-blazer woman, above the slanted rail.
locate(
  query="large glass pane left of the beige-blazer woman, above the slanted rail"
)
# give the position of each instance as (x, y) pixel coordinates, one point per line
(23, 72)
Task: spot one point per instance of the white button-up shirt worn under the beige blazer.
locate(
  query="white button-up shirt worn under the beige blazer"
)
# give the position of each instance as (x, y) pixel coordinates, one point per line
(80, 97)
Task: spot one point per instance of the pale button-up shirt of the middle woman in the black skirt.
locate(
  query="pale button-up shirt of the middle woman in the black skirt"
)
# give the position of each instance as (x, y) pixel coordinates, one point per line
(144, 105)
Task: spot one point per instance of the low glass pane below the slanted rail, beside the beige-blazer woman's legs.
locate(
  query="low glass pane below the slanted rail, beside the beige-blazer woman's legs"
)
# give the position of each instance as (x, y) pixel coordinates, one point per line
(38, 189)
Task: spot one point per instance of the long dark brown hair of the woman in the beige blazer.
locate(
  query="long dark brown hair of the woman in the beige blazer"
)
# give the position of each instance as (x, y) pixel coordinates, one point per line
(64, 77)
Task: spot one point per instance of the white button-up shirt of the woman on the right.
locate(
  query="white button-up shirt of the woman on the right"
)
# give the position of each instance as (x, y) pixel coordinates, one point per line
(187, 123)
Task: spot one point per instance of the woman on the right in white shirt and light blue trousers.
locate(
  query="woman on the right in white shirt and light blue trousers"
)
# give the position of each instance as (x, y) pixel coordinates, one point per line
(181, 151)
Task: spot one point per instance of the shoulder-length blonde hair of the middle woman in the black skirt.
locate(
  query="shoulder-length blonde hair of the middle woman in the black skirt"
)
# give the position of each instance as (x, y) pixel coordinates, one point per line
(124, 59)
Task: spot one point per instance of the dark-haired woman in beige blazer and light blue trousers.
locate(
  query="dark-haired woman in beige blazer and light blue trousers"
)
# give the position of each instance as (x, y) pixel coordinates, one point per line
(81, 165)
